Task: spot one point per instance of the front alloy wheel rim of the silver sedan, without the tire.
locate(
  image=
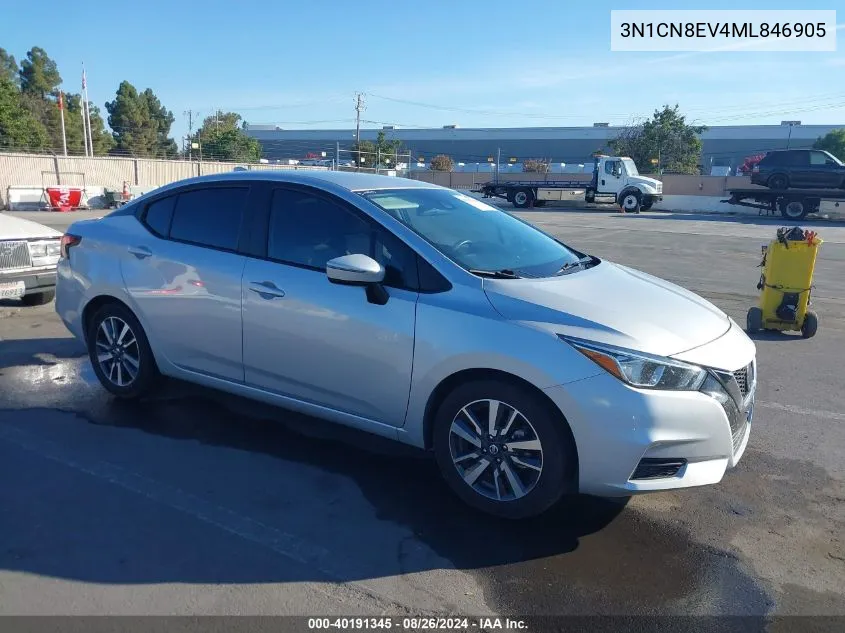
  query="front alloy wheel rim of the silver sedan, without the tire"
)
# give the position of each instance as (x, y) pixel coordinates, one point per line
(496, 450)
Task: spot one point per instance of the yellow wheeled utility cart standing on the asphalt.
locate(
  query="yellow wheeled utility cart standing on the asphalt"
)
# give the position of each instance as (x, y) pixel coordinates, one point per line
(785, 283)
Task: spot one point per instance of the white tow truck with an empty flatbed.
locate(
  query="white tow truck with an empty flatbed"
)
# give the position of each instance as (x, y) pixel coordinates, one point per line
(615, 180)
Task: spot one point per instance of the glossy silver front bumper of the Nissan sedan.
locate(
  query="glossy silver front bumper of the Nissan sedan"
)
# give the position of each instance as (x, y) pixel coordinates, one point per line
(616, 427)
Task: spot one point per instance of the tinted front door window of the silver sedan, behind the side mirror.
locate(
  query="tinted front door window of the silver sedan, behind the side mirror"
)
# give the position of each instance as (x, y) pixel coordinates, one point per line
(309, 230)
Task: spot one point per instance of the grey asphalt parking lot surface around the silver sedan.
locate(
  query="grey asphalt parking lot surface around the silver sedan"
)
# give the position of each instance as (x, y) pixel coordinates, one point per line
(194, 503)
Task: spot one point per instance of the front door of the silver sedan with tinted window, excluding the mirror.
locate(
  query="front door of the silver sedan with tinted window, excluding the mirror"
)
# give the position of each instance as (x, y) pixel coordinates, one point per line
(317, 341)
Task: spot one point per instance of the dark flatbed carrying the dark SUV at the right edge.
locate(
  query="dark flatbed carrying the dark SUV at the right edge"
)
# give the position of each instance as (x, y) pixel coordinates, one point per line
(792, 204)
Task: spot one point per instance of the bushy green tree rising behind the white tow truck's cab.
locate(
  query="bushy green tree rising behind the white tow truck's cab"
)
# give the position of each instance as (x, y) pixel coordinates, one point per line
(666, 138)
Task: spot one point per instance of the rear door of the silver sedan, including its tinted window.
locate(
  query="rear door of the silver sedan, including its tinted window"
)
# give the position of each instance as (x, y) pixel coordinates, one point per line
(184, 275)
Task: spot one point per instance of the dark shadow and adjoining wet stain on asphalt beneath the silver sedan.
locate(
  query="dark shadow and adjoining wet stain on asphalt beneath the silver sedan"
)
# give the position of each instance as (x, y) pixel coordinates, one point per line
(203, 469)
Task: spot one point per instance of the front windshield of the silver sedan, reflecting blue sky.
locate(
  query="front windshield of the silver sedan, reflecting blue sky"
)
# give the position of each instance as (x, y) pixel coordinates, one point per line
(474, 234)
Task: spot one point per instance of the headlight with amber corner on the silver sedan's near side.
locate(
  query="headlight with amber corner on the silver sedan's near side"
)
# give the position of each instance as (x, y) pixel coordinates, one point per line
(642, 370)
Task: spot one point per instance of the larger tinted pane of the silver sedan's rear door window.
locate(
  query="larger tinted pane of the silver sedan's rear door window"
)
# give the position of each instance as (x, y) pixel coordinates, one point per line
(209, 217)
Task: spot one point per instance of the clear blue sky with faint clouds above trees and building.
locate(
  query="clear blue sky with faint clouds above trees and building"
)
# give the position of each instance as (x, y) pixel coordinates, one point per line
(474, 63)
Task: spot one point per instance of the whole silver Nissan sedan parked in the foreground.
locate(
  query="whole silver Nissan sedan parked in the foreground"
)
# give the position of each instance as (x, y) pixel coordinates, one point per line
(530, 369)
